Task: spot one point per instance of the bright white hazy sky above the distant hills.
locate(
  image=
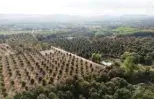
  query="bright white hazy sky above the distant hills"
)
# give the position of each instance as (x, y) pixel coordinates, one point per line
(77, 7)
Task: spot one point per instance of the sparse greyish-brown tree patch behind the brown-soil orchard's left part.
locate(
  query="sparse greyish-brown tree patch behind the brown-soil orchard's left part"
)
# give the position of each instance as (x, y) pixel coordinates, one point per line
(25, 42)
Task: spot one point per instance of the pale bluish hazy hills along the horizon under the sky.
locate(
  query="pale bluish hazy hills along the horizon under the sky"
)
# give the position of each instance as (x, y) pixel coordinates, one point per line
(15, 18)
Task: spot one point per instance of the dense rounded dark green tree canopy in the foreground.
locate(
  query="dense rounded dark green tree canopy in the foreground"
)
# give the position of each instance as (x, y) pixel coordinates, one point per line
(112, 83)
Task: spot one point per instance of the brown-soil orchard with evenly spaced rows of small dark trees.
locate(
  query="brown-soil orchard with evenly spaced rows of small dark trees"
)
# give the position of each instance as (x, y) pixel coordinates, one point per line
(27, 70)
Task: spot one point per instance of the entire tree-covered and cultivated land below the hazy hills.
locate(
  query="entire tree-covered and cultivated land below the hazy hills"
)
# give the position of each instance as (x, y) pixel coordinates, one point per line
(42, 60)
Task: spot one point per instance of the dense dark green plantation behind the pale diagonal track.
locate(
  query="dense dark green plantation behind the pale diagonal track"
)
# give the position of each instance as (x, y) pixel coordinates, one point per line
(113, 47)
